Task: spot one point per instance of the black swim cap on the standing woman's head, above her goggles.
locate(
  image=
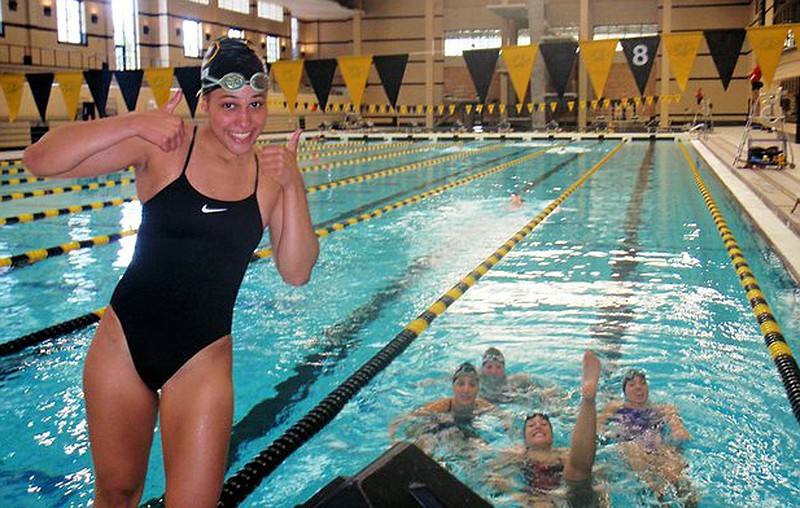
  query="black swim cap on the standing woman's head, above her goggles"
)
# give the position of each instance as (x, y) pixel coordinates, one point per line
(226, 55)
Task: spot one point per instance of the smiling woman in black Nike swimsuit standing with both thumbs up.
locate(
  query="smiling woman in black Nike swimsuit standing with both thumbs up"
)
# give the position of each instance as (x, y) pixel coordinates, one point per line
(163, 347)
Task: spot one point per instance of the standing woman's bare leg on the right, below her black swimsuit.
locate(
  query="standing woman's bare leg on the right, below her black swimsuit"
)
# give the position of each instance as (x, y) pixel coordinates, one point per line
(196, 417)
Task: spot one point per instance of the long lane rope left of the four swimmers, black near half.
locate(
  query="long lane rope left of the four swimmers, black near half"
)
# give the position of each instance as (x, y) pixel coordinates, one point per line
(247, 479)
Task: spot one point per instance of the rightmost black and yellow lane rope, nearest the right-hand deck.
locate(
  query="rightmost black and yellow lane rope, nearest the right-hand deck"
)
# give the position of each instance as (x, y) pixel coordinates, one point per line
(773, 337)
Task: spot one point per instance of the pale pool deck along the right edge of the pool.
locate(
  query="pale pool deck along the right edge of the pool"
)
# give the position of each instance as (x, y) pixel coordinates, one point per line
(771, 197)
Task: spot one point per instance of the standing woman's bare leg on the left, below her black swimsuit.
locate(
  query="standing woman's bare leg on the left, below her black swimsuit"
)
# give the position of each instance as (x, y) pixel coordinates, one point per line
(121, 413)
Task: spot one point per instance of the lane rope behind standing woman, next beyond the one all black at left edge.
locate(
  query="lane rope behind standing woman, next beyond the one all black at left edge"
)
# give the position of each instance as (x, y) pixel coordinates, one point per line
(36, 255)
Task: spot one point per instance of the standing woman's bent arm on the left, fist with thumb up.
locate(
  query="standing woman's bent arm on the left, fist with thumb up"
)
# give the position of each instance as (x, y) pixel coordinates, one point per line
(84, 149)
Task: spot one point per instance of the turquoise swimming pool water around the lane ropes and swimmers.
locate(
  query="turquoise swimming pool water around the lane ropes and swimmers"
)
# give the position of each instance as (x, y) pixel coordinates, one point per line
(630, 265)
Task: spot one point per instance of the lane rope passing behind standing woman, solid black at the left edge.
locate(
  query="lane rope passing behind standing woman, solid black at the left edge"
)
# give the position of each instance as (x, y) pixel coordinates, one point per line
(79, 322)
